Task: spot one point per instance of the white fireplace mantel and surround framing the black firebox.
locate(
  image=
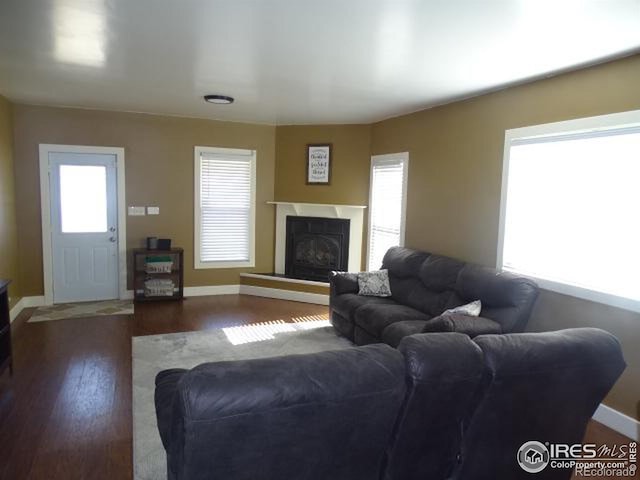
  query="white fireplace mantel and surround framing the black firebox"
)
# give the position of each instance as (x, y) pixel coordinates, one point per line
(354, 213)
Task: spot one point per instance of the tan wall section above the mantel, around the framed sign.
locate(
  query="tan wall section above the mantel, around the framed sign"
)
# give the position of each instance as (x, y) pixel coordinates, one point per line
(351, 156)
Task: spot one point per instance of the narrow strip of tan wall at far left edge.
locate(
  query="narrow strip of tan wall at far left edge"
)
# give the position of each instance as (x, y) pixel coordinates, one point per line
(8, 227)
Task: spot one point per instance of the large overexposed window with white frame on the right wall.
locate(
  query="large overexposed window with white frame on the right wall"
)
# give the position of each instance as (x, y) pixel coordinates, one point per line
(570, 207)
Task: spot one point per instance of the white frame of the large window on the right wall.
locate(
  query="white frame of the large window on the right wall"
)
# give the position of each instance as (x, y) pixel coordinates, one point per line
(589, 126)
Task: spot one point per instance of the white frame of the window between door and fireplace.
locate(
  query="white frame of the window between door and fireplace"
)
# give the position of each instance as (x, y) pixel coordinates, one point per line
(198, 264)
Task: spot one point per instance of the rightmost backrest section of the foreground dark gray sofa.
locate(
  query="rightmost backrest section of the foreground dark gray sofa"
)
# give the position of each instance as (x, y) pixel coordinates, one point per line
(541, 387)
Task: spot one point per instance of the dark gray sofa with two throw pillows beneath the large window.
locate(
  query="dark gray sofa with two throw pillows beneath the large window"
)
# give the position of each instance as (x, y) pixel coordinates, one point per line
(423, 286)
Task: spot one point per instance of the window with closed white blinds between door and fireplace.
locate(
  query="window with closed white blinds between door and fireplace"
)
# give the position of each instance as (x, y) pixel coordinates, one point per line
(224, 207)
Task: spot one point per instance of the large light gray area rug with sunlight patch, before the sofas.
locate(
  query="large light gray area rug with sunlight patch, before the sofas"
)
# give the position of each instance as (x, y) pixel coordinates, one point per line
(154, 353)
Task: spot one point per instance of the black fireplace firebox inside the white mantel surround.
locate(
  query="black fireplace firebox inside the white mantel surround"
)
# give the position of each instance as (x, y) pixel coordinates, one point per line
(315, 246)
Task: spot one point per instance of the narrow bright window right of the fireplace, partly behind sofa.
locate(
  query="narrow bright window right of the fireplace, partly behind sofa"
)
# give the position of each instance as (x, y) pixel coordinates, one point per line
(387, 202)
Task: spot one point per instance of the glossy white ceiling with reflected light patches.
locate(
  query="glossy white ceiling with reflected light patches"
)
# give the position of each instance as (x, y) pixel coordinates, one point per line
(296, 61)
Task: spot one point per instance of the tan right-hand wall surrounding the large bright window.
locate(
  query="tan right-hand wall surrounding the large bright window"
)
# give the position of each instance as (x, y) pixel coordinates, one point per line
(455, 175)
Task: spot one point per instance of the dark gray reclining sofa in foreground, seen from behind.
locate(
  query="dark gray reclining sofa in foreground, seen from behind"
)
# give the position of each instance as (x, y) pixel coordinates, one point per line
(441, 406)
